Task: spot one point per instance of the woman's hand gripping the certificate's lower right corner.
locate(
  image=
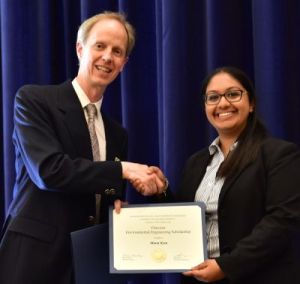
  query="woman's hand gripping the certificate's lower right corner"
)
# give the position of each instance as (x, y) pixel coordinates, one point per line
(207, 271)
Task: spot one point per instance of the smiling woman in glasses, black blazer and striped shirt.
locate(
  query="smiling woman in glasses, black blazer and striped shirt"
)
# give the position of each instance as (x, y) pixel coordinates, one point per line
(250, 183)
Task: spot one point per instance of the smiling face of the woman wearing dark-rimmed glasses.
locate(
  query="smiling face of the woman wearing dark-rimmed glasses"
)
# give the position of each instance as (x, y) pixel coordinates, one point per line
(228, 118)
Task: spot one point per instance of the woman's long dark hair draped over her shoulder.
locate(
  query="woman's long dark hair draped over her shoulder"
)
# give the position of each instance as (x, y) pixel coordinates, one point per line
(250, 139)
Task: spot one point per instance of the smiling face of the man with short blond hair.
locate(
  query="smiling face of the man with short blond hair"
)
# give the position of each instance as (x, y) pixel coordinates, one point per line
(103, 55)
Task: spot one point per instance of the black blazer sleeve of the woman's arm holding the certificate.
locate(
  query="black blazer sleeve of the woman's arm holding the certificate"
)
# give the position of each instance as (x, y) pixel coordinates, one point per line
(277, 230)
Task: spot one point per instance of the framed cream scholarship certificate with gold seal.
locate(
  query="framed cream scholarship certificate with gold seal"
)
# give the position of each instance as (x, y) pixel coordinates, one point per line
(154, 238)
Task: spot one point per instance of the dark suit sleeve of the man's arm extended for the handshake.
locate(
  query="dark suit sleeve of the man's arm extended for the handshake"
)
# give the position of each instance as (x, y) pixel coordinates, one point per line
(42, 154)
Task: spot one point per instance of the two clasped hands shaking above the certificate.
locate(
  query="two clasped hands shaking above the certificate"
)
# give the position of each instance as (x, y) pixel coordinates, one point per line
(146, 180)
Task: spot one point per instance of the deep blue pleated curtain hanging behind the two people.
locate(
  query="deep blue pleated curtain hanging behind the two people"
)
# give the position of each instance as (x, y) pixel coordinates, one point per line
(157, 96)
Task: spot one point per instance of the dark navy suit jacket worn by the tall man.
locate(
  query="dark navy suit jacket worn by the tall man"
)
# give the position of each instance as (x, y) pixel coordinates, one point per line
(56, 182)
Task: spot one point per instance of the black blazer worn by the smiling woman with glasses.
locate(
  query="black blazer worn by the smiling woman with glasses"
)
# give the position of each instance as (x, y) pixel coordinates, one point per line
(258, 213)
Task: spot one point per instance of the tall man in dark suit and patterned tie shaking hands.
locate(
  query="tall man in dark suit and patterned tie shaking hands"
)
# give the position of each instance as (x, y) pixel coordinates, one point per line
(57, 177)
